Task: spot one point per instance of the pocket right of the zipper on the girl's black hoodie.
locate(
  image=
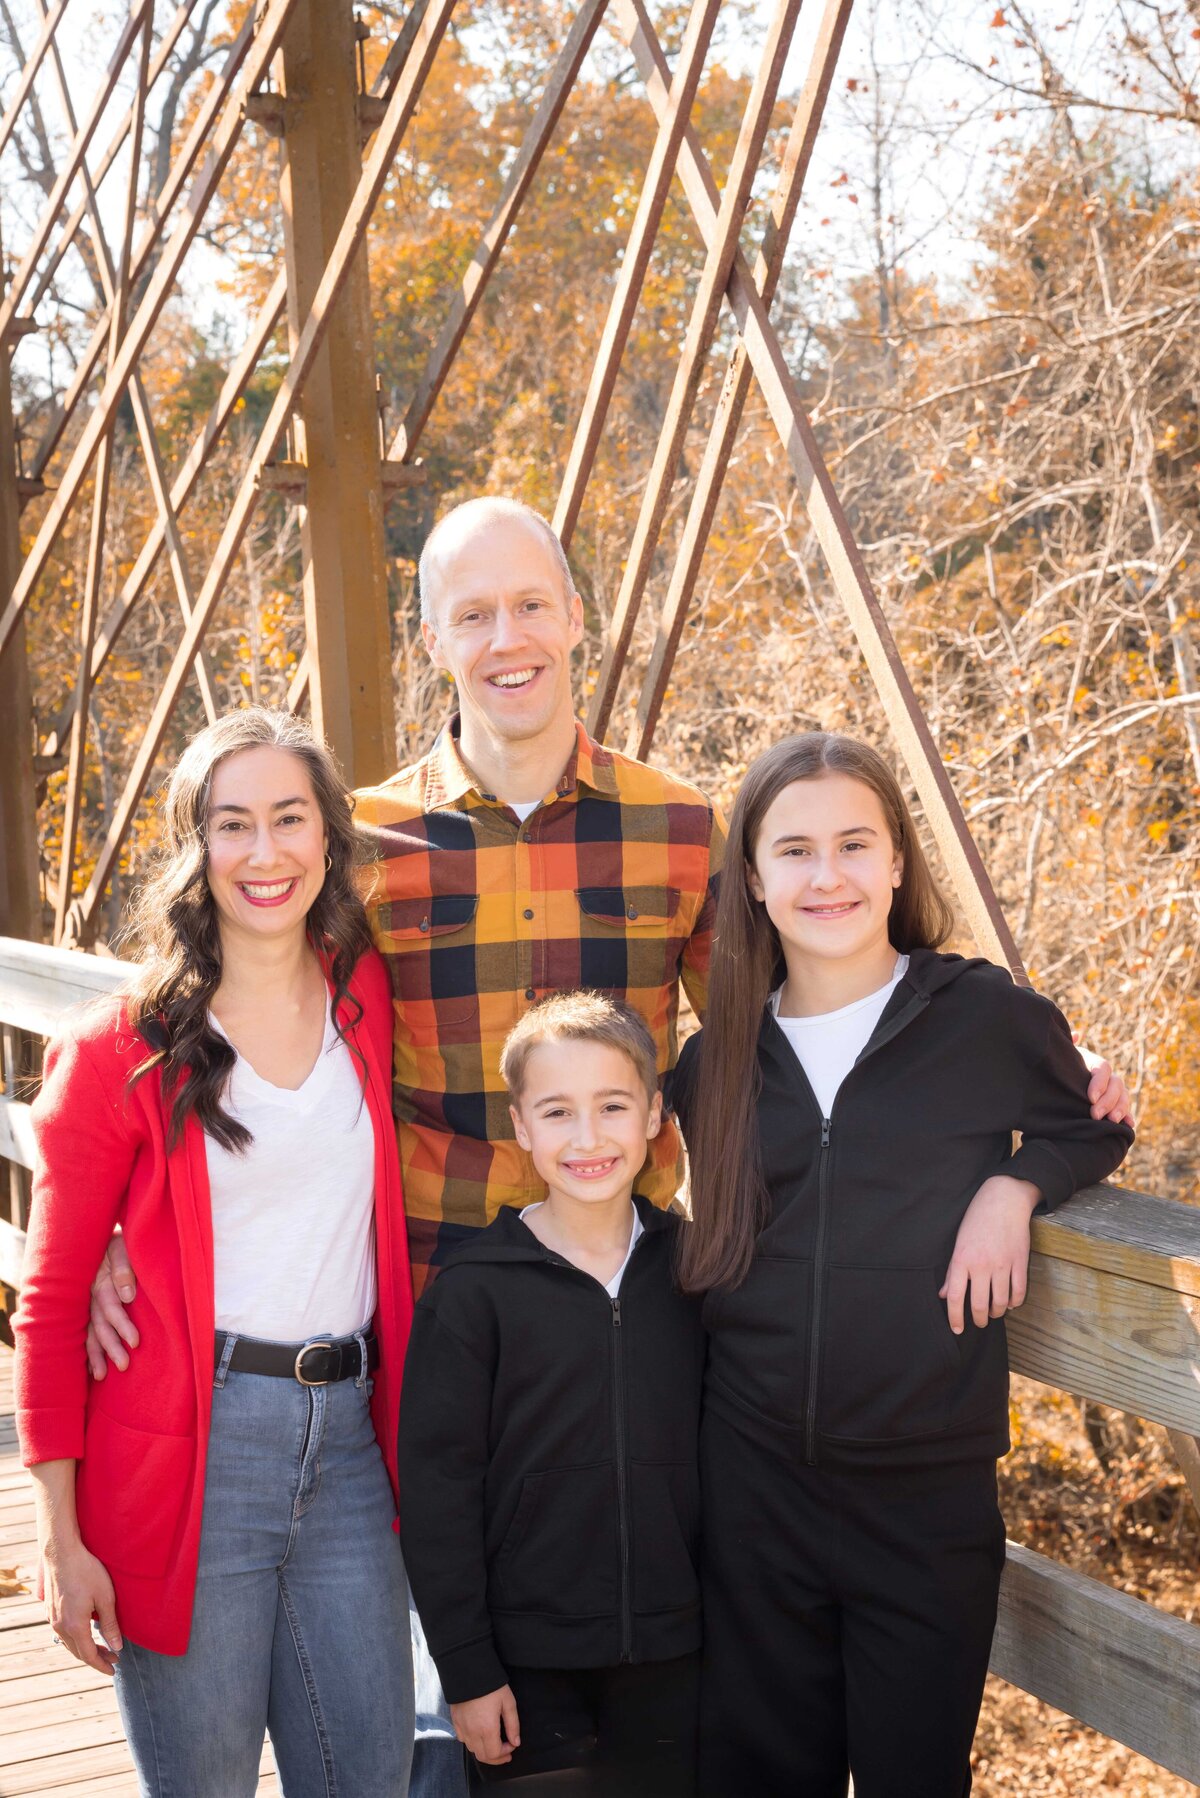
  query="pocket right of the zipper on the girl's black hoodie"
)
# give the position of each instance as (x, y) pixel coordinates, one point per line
(890, 1358)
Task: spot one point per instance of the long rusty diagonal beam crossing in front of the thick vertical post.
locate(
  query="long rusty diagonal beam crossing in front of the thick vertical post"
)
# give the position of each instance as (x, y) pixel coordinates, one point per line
(350, 238)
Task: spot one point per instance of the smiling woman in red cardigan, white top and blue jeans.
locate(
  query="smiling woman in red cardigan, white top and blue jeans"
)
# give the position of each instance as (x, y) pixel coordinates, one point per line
(226, 1508)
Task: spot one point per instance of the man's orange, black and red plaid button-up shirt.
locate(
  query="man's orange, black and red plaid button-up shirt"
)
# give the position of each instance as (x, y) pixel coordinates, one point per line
(609, 886)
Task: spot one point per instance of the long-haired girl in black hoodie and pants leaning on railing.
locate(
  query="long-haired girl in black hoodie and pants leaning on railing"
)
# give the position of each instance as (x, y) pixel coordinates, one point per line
(854, 1409)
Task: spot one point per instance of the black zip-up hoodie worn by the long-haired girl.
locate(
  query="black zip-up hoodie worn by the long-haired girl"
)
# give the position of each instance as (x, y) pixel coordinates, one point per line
(837, 1346)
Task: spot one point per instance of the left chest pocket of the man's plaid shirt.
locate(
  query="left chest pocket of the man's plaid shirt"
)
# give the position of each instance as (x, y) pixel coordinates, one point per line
(429, 945)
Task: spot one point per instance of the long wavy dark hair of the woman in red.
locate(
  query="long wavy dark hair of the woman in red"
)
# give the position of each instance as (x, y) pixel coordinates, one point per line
(175, 938)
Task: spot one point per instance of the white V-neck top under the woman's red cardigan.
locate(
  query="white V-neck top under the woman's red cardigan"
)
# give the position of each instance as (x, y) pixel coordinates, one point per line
(294, 1216)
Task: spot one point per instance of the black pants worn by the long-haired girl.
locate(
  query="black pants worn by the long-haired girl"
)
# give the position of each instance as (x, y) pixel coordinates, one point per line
(848, 1623)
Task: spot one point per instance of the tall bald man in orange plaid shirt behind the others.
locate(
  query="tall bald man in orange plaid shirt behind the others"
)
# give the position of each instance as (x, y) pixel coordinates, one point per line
(517, 859)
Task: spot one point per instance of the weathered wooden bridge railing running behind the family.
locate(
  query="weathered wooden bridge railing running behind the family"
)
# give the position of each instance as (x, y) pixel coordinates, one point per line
(1113, 1315)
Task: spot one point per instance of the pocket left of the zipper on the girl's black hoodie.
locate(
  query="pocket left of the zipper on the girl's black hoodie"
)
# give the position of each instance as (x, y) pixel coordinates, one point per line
(758, 1339)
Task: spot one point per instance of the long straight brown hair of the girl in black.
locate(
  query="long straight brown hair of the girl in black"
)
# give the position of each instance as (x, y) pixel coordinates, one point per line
(728, 1191)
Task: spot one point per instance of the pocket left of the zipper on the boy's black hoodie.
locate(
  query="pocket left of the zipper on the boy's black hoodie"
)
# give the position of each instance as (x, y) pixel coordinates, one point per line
(560, 1551)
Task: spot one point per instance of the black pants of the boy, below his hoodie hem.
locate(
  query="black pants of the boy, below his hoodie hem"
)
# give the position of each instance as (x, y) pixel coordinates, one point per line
(602, 1732)
